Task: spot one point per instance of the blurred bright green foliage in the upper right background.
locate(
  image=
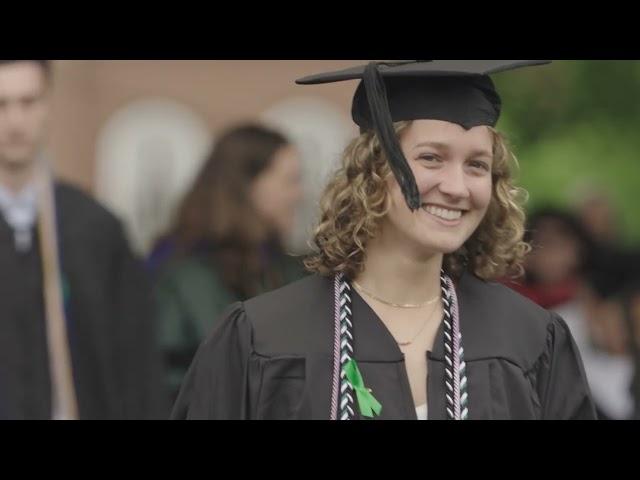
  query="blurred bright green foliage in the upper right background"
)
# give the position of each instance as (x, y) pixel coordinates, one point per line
(574, 123)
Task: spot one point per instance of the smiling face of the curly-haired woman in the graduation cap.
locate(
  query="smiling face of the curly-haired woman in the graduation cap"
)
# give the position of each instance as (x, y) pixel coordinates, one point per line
(453, 171)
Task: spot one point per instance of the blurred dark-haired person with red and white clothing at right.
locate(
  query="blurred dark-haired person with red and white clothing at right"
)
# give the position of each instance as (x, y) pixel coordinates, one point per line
(566, 272)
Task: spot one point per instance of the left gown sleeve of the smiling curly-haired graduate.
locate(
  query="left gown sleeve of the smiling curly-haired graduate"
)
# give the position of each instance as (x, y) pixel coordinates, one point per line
(216, 386)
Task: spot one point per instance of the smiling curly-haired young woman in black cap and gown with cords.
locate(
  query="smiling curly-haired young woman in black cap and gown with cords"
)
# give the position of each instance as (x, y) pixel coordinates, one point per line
(401, 318)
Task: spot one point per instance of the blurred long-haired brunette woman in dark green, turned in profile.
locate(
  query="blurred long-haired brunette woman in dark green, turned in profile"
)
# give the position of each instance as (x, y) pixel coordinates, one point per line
(228, 241)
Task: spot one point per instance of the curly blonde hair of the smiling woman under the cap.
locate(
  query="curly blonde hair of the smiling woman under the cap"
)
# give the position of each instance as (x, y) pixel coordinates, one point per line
(355, 202)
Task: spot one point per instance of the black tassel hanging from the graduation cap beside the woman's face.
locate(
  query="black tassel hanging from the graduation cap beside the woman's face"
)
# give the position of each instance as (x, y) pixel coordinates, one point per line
(383, 126)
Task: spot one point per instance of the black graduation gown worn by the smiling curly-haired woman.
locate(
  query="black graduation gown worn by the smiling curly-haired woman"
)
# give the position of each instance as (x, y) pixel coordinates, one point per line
(271, 358)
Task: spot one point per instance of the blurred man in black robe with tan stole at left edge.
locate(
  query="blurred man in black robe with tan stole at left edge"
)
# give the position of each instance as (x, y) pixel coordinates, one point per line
(77, 338)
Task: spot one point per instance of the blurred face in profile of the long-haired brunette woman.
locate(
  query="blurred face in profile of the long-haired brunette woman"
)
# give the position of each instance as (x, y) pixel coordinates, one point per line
(277, 190)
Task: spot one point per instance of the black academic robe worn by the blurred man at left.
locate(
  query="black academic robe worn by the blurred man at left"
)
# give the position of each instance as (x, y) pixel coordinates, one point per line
(116, 364)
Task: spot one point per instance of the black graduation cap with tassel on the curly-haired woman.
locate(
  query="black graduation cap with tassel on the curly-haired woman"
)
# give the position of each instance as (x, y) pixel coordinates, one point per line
(456, 91)
